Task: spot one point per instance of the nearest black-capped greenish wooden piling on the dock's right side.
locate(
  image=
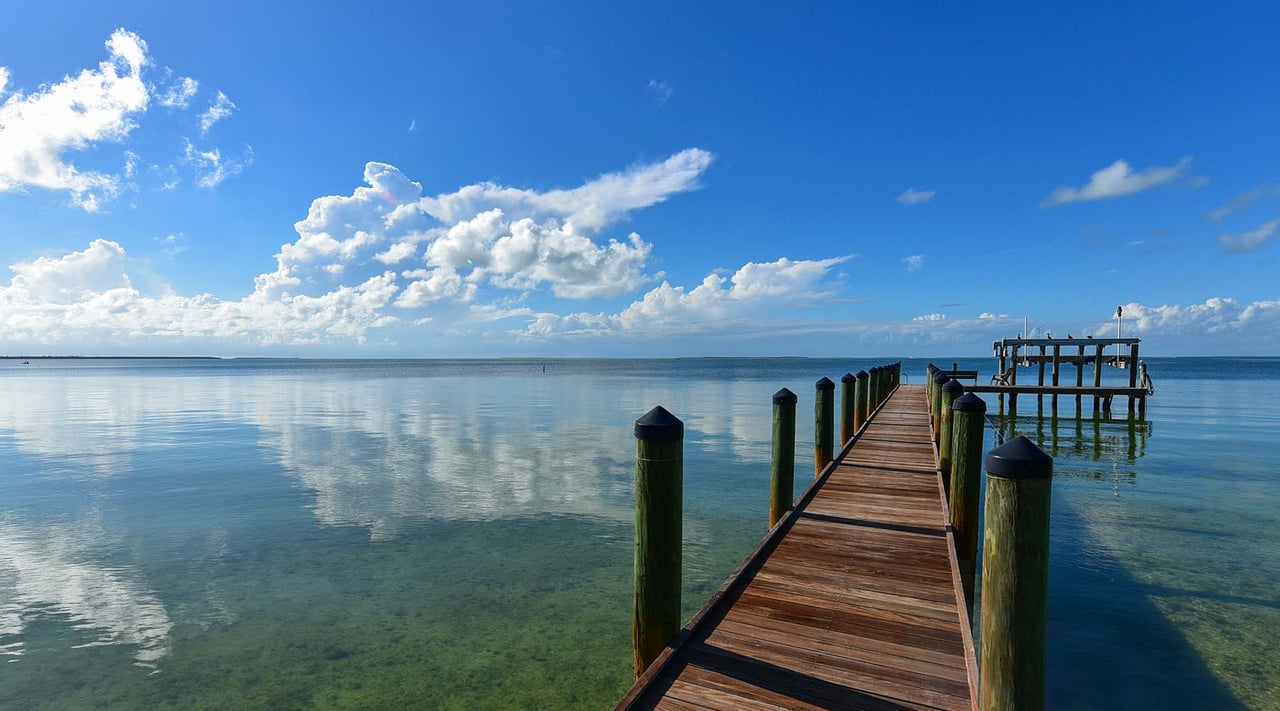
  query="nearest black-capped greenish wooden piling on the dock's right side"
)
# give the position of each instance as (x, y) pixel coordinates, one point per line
(1016, 577)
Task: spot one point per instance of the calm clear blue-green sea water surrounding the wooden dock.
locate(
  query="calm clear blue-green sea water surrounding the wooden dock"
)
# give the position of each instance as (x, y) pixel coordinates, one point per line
(458, 535)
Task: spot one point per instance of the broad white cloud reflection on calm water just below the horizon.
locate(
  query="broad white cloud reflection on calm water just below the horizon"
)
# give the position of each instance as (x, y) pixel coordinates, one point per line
(378, 453)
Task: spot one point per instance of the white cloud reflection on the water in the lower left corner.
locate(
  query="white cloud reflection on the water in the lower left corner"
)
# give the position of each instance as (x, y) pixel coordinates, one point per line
(43, 569)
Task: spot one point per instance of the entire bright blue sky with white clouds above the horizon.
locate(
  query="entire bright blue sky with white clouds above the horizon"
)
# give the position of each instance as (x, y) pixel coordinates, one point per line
(488, 180)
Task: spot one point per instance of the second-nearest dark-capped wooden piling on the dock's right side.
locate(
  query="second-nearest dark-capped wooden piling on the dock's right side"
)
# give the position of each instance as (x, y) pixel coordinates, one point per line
(968, 416)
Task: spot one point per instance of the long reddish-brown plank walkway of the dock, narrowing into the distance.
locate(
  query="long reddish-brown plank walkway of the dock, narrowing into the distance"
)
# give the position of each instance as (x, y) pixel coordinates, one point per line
(853, 601)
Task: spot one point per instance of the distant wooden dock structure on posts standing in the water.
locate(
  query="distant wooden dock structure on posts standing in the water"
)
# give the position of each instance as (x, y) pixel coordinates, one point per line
(1036, 355)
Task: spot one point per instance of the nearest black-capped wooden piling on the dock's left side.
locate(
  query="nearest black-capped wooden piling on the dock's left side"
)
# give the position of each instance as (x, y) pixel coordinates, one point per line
(659, 536)
